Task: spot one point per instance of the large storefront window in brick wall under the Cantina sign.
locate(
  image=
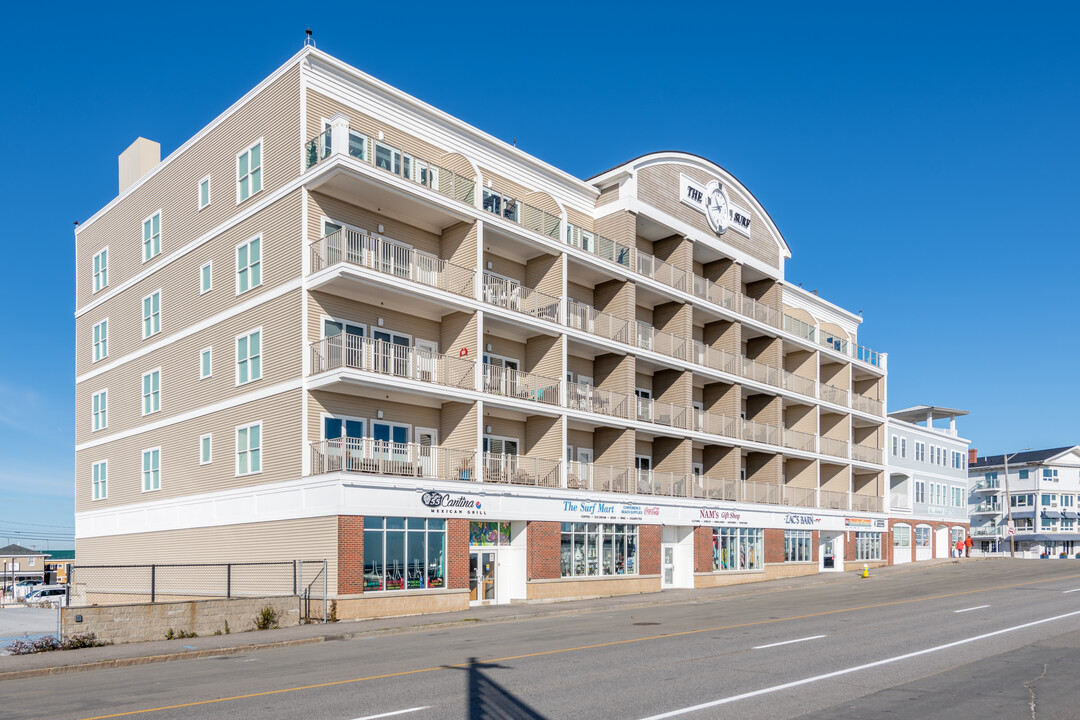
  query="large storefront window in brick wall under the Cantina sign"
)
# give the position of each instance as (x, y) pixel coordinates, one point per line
(404, 553)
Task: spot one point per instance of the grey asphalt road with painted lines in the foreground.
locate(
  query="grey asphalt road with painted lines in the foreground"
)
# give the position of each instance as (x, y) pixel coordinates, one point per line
(992, 640)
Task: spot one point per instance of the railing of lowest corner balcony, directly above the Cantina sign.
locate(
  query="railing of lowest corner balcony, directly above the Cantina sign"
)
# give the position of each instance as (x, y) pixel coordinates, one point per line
(363, 455)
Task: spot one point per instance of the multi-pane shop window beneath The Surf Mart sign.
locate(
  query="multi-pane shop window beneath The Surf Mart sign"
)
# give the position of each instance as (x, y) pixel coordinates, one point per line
(599, 549)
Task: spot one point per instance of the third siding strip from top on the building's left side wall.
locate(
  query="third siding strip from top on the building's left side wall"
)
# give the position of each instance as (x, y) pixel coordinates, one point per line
(182, 391)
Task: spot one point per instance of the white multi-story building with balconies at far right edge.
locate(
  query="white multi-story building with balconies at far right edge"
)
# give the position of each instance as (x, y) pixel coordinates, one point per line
(1041, 488)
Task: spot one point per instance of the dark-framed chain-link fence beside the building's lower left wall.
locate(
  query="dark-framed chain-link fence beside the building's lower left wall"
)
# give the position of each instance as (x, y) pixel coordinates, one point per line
(126, 585)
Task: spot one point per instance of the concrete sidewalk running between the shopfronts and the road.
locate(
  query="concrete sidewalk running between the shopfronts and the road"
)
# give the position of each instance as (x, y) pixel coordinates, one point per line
(137, 654)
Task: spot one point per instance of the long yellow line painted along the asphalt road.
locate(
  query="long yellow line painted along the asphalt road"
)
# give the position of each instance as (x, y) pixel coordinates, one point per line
(564, 650)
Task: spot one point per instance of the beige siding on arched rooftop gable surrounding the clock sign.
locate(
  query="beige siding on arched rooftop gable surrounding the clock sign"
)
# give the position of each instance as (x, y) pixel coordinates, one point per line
(659, 186)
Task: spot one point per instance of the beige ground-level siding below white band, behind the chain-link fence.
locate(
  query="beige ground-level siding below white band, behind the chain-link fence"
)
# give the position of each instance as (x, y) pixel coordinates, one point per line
(303, 539)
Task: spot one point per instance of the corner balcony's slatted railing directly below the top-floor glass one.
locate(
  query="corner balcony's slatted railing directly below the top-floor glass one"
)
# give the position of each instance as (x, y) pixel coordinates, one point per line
(363, 251)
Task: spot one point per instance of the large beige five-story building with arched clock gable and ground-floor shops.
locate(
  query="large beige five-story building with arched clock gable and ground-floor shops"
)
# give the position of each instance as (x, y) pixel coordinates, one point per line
(339, 323)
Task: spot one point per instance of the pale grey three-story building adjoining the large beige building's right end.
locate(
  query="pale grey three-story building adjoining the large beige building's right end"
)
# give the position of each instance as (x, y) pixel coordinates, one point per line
(928, 483)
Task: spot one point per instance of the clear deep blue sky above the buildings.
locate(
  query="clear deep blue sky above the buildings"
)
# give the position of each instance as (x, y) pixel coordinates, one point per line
(920, 159)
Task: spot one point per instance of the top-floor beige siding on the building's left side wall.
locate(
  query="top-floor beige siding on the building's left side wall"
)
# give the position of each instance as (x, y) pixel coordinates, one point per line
(274, 115)
